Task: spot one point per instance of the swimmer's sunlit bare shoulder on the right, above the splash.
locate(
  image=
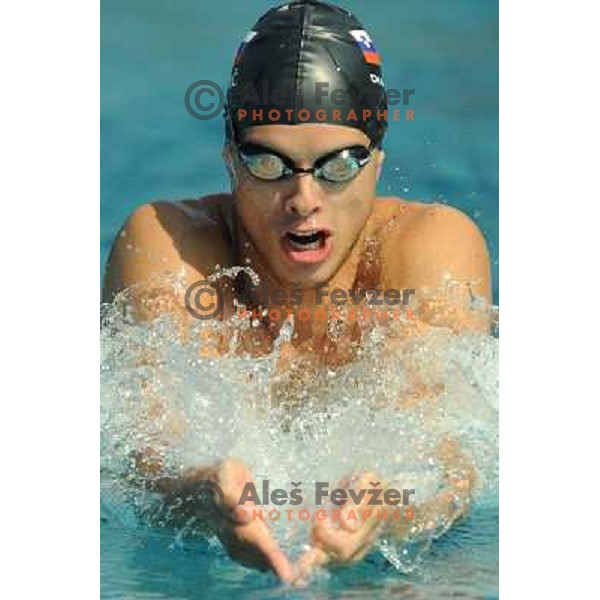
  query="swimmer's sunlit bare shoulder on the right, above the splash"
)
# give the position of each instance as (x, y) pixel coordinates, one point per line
(424, 245)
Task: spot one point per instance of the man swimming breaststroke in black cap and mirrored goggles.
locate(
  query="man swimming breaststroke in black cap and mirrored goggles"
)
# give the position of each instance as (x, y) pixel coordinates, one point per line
(303, 213)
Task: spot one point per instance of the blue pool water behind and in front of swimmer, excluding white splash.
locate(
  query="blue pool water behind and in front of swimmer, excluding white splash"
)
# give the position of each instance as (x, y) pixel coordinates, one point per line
(152, 148)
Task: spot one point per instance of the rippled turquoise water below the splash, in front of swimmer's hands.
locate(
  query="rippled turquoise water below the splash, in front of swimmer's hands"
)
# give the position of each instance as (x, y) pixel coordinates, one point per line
(149, 564)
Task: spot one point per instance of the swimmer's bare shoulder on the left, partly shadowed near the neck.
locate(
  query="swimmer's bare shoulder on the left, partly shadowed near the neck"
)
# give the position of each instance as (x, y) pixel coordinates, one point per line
(188, 237)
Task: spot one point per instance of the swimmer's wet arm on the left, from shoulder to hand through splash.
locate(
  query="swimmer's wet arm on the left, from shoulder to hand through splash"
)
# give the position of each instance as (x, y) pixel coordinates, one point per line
(159, 241)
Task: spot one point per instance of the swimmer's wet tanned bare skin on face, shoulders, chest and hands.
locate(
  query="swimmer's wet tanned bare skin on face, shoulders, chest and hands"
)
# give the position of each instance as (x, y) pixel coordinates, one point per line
(388, 243)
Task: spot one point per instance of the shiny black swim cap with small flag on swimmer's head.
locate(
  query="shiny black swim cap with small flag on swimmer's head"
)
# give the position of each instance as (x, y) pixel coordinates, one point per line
(307, 62)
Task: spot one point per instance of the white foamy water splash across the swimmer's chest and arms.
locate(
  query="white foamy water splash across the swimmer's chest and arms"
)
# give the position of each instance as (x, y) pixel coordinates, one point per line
(302, 424)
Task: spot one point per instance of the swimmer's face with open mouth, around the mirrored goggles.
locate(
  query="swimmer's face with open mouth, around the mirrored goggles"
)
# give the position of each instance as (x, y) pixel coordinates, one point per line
(279, 215)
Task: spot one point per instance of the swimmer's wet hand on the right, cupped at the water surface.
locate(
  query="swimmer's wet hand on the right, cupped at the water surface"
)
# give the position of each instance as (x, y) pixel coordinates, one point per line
(344, 541)
